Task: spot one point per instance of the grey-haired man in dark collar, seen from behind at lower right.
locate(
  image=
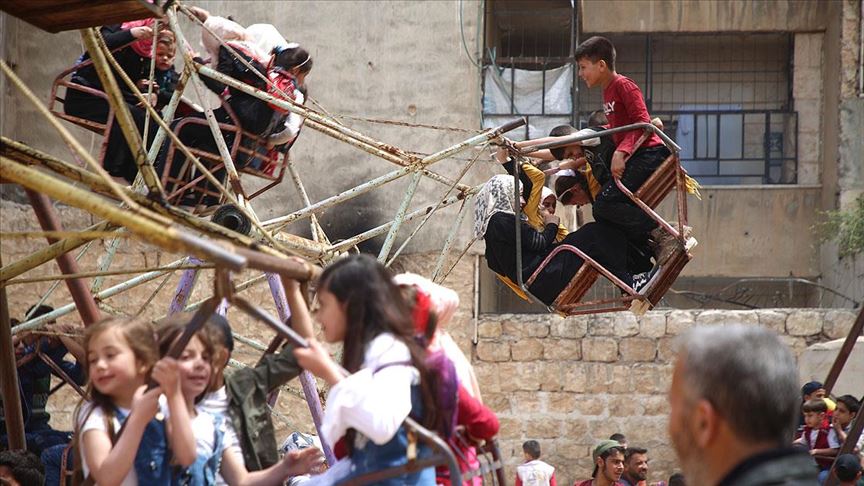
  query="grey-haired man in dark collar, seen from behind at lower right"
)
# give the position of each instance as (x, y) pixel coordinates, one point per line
(734, 407)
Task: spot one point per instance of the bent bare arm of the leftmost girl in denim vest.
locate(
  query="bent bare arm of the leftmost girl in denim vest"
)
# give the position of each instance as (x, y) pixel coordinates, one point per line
(109, 464)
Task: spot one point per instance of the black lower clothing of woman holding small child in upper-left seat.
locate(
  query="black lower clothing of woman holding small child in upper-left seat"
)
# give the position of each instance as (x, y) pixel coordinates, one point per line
(119, 161)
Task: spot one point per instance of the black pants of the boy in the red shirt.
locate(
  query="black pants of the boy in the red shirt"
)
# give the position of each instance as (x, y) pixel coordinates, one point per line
(614, 208)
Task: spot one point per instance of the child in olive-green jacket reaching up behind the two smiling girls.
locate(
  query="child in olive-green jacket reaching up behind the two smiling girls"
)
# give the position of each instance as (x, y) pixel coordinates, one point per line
(242, 395)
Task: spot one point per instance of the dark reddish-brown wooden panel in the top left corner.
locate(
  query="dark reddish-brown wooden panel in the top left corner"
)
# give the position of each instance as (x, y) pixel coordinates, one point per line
(60, 15)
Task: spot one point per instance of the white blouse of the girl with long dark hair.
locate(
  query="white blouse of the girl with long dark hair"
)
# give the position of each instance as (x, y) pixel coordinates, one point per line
(375, 404)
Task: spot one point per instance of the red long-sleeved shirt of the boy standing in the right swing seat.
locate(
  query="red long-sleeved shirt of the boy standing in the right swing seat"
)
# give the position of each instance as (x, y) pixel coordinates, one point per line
(623, 105)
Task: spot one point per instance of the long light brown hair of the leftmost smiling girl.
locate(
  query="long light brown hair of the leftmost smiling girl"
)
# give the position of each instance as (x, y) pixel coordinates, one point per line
(139, 337)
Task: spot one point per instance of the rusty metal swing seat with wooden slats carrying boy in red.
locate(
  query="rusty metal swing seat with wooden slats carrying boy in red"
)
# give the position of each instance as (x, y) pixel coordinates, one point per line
(667, 177)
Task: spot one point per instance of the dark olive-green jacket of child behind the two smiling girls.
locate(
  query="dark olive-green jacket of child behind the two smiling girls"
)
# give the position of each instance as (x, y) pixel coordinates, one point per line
(247, 390)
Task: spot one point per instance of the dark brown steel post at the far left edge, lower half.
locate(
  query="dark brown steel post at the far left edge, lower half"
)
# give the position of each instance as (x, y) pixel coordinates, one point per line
(9, 380)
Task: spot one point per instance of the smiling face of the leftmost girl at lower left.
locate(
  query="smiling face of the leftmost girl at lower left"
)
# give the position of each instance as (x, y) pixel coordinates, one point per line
(112, 365)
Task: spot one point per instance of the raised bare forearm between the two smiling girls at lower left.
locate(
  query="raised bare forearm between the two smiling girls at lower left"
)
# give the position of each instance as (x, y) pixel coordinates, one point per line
(181, 439)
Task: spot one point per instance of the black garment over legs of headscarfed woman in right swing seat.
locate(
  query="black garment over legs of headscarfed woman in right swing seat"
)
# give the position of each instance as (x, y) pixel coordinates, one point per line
(603, 243)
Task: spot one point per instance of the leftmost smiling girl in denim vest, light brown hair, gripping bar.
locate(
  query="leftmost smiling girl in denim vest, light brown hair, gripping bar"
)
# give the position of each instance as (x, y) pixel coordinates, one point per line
(120, 355)
